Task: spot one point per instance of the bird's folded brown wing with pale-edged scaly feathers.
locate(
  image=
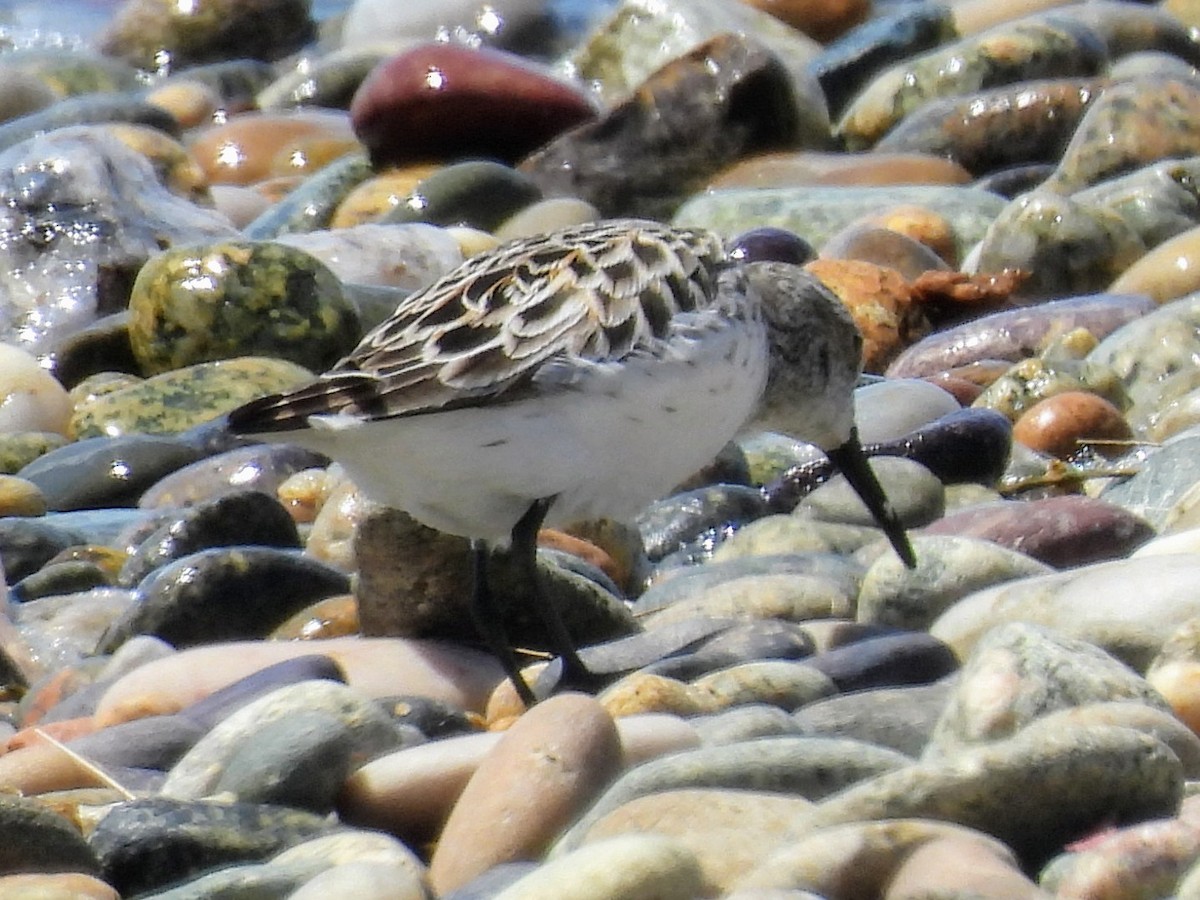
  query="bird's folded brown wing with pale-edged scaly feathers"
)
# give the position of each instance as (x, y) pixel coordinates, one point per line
(597, 292)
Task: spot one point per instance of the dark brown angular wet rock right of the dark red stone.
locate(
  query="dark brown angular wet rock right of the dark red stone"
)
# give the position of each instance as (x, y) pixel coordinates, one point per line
(729, 97)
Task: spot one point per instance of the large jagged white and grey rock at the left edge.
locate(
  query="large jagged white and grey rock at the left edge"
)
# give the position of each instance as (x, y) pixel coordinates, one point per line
(87, 205)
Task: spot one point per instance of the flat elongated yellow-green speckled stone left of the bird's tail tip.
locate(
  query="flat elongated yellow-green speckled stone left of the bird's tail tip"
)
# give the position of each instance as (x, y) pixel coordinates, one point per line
(173, 403)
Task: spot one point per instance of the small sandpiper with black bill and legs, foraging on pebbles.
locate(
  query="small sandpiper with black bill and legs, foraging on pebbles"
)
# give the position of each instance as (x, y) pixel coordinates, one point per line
(577, 375)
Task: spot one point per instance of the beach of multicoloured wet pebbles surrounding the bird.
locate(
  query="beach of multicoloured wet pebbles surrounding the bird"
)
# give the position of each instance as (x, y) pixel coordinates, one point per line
(225, 673)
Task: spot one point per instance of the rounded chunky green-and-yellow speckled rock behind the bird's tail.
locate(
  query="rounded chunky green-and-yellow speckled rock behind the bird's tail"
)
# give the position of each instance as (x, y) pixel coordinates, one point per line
(233, 299)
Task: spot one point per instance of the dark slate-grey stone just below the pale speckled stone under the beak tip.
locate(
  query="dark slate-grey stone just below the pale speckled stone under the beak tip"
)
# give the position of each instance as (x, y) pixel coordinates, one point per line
(885, 662)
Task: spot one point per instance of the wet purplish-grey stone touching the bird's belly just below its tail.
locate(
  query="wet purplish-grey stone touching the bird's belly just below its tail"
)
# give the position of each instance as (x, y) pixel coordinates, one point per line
(261, 467)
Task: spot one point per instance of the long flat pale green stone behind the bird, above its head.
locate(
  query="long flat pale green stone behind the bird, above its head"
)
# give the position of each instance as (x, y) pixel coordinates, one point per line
(817, 214)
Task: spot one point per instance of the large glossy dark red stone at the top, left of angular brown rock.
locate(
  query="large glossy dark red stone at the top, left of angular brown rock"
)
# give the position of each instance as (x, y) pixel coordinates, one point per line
(443, 101)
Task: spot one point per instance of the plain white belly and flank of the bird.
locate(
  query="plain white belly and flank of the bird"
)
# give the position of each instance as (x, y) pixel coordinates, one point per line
(620, 437)
